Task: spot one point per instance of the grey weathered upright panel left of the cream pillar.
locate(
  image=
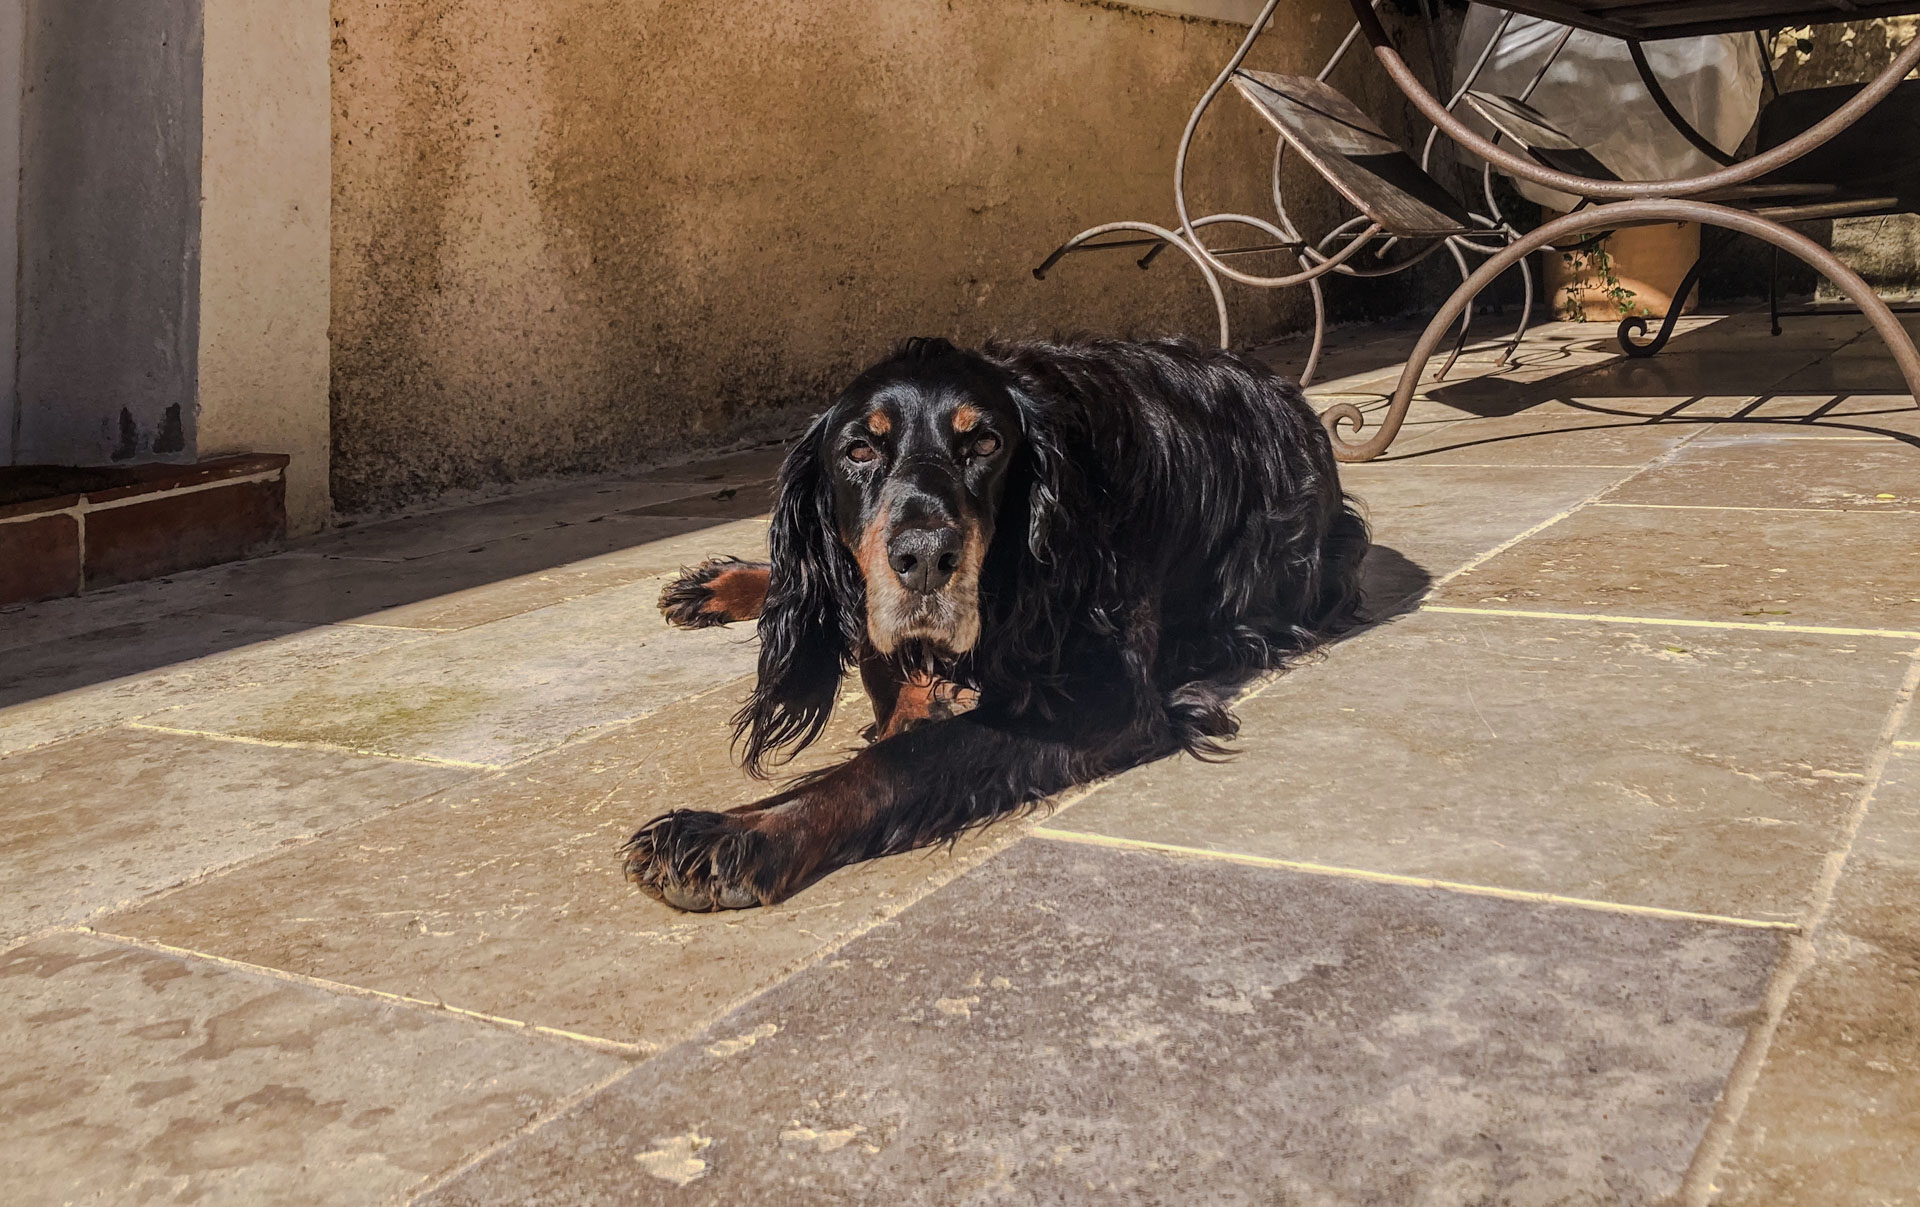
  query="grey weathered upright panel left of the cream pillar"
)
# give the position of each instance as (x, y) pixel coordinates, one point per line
(110, 231)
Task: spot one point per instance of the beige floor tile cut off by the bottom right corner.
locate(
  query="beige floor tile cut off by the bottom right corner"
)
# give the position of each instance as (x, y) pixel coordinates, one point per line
(1835, 1120)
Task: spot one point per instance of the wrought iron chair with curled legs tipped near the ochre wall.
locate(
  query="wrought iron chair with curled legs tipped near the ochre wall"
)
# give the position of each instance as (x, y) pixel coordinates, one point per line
(1399, 201)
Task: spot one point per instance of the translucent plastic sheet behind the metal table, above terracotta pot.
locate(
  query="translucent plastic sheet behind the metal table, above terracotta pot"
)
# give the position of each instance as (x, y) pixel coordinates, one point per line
(1595, 95)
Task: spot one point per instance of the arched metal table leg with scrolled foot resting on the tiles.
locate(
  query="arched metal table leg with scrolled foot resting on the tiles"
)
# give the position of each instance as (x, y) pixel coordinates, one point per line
(1654, 210)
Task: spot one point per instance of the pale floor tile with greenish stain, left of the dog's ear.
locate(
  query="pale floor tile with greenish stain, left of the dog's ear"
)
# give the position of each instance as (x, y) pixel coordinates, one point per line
(494, 694)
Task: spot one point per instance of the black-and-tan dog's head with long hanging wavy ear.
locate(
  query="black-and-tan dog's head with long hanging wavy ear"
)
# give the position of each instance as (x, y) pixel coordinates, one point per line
(882, 527)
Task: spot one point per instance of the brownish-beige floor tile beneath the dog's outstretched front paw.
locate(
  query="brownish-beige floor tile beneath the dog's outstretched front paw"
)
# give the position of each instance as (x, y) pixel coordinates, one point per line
(508, 897)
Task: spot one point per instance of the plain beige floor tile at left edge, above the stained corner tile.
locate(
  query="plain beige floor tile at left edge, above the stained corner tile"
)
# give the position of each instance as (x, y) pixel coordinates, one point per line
(116, 815)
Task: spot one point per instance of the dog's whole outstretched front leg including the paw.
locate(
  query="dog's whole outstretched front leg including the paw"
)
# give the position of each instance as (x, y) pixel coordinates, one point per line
(907, 792)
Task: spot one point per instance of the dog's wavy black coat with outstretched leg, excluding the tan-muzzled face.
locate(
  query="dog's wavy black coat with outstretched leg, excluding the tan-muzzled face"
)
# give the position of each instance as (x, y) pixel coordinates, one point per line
(1170, 525)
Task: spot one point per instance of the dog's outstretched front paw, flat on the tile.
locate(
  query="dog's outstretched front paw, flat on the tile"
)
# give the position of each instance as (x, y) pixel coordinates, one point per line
(702, 863)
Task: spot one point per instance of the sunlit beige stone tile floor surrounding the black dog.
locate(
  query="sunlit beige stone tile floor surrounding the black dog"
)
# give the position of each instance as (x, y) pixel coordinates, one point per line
(1589, 876)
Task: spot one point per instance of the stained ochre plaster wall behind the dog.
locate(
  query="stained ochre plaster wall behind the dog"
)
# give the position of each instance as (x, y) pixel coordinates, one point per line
(573, 235)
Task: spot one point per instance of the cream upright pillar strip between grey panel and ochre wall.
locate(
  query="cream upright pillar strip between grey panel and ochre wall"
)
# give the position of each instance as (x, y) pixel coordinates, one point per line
(266, 270)
